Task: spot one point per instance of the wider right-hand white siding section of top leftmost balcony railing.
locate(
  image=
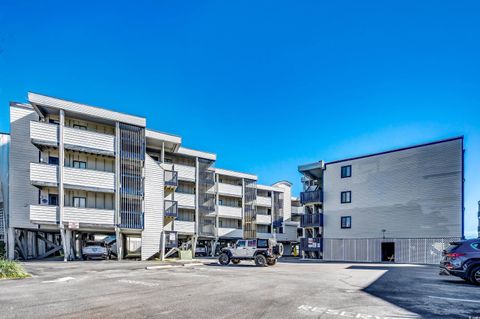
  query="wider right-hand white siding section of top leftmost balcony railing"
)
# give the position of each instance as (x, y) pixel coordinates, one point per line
(89, 140)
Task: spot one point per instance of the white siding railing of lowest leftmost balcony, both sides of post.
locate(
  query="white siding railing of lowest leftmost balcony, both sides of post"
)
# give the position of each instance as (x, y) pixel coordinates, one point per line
(46, 214)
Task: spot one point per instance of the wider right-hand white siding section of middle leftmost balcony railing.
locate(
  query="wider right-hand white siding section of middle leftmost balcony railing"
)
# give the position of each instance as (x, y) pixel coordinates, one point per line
(91, 179)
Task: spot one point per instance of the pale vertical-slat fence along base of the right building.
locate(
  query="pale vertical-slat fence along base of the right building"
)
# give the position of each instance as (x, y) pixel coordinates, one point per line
(407, 250)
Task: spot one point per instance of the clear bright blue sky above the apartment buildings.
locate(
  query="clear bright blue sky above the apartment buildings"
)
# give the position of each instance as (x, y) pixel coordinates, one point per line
(266, 85)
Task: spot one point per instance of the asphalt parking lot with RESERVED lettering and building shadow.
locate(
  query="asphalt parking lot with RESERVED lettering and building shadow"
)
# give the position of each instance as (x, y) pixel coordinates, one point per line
(109, 289)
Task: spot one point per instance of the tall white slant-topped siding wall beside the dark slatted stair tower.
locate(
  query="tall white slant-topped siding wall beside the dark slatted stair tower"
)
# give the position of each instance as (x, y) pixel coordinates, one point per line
(153, 218)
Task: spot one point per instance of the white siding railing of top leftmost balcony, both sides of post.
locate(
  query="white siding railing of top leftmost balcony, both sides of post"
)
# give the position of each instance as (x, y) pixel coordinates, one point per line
(46, 134)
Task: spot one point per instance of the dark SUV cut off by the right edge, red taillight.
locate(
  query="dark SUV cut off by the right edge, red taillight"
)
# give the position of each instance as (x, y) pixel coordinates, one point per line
(462, 259)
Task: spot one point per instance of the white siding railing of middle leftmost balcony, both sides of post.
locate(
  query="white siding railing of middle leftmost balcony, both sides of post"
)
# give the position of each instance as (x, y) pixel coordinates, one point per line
(74, 178)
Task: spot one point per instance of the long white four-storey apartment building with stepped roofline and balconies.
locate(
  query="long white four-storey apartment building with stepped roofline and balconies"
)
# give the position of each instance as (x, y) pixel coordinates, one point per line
(76, 171)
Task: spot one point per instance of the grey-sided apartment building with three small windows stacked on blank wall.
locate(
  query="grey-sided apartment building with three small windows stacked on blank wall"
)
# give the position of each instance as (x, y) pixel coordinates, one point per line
(402, 205)
